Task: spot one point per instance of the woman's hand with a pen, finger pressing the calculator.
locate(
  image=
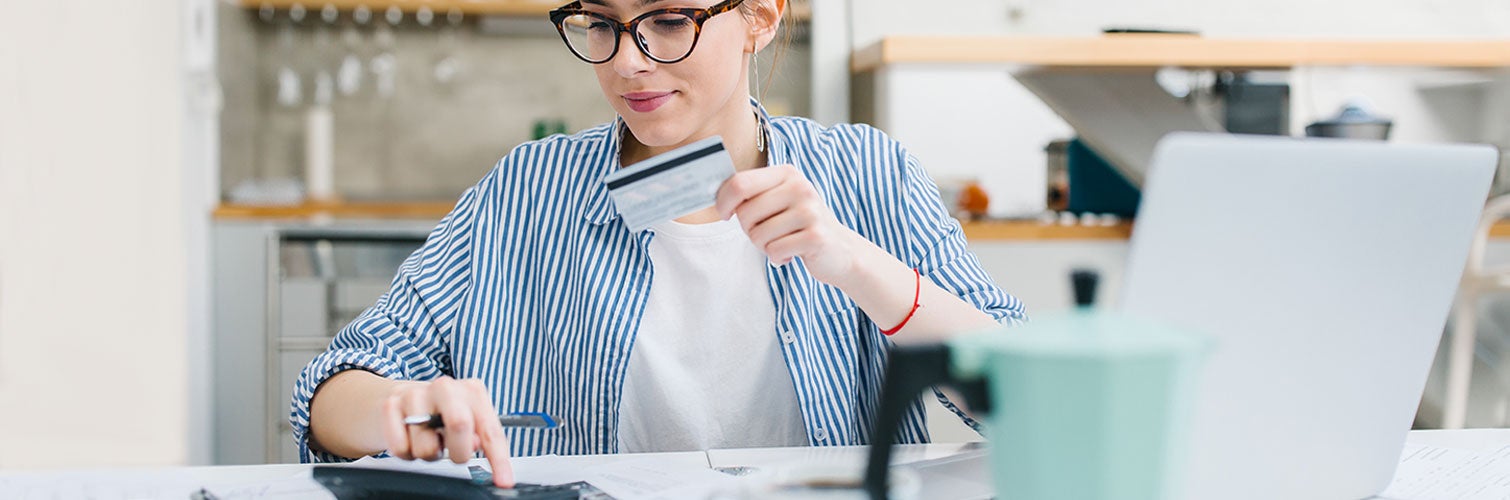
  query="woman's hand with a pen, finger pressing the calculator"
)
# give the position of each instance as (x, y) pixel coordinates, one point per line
(472, 425)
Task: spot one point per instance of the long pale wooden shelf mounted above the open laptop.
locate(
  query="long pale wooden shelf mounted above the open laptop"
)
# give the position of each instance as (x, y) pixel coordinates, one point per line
(1180, 51)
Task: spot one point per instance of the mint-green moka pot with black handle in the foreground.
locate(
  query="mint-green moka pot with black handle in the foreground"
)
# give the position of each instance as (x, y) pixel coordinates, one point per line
(1082, 406)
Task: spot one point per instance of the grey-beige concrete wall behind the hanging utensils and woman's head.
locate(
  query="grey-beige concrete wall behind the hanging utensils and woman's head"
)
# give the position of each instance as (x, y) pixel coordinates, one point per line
(427, 141)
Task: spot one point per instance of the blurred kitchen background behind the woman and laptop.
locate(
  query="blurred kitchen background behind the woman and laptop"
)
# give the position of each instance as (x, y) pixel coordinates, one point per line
(197, 194)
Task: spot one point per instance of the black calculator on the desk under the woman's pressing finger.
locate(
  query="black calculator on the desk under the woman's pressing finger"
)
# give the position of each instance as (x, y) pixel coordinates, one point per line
(360, 484)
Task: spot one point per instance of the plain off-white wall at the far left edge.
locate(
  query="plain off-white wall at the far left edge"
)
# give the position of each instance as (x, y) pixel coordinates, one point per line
(94, 307)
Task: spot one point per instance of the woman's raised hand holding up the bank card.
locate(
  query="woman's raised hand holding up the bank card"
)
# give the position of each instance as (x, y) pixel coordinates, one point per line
(786, 218)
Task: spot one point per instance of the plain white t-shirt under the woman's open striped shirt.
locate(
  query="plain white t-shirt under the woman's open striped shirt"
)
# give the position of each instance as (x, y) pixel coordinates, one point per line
(707, 371)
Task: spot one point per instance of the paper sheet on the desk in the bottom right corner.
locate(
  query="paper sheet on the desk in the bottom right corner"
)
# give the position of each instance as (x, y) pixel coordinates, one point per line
(1444, 474)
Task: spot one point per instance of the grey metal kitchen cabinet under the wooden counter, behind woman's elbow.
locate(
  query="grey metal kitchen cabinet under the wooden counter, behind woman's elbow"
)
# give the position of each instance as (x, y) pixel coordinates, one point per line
(282, 292)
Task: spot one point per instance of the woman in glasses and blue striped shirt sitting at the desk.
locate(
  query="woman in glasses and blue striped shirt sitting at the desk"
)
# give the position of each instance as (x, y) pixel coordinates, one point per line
(762, 321)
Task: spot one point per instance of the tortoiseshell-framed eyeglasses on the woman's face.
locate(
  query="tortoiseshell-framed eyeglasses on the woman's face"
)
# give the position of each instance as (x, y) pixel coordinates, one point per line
(670, 37)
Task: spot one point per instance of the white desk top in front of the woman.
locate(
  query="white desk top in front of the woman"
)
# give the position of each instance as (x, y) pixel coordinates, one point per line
(180, 483)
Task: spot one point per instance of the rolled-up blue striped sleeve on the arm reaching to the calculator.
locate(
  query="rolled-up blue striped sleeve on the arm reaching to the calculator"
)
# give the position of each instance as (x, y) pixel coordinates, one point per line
(407, 335)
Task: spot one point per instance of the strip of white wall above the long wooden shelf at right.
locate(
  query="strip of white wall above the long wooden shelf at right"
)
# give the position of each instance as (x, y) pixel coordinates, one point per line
(1324, 19)
